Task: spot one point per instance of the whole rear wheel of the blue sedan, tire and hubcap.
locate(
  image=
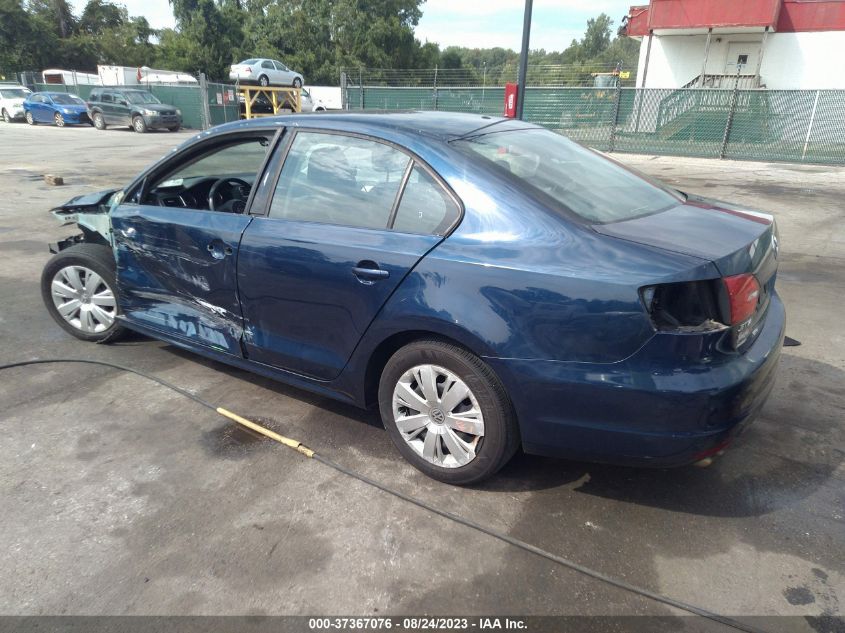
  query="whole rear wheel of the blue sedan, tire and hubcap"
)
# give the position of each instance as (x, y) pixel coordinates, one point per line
(447, 412)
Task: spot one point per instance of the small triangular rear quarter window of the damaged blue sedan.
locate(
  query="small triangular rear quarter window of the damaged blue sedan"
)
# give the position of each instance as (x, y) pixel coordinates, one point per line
(425, 208)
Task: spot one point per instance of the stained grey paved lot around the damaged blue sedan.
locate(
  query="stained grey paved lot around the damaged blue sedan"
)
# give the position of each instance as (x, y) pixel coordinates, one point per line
(120, 497)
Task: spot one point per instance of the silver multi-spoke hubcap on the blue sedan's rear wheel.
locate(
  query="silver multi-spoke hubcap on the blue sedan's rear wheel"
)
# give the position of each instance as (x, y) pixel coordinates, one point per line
(438, 416)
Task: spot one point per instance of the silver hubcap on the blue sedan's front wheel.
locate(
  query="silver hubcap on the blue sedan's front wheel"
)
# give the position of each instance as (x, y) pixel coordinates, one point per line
(83, 299)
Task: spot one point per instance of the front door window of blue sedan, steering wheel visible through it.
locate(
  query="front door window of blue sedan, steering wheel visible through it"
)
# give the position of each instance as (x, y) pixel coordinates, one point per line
(219, 179)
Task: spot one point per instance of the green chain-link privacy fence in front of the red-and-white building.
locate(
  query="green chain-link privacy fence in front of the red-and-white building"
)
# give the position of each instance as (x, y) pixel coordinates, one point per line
(769, 125)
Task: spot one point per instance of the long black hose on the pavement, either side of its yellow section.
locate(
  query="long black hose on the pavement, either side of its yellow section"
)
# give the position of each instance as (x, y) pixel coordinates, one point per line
(564, 562)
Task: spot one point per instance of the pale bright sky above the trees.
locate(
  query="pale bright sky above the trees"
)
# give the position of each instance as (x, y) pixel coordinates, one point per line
(470, 23)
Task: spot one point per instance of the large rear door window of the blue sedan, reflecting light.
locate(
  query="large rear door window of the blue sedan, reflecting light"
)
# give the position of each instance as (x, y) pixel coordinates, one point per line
(342, 180)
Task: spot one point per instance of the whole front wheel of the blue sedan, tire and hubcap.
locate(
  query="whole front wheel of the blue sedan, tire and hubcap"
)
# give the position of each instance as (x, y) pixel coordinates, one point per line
(78, 287)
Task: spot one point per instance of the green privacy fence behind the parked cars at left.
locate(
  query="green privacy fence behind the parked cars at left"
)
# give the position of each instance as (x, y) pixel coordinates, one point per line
(202, 106)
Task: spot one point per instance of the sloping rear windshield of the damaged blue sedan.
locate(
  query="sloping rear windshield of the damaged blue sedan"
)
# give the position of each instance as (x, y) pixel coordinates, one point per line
(582, 181)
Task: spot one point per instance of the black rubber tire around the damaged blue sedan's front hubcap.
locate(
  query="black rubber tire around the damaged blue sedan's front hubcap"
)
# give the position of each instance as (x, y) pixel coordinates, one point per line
(96, 258)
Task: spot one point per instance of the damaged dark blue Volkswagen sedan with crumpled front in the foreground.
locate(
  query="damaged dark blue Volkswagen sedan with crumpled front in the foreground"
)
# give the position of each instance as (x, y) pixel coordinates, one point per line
(486, 283)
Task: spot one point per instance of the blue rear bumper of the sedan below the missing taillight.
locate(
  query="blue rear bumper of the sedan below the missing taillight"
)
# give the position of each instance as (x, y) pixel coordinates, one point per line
(643, 411)
